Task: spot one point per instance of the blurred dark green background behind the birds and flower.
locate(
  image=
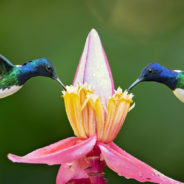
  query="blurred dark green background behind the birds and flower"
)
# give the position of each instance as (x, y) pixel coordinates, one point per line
(134, 33)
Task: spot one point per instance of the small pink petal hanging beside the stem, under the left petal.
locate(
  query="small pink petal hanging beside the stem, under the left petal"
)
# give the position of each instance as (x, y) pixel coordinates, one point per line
(73, 170)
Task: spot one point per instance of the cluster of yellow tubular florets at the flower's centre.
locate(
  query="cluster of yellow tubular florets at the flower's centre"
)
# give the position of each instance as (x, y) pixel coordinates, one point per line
(89, 115)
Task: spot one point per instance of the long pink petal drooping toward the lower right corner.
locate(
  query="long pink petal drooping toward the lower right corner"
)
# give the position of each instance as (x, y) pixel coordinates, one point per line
(128, 166)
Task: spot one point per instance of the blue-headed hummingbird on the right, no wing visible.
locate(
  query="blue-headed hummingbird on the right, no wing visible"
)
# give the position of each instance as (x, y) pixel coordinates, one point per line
(174, 79)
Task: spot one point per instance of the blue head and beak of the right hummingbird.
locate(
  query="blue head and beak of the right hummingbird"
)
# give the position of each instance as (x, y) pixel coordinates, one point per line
(156, 72)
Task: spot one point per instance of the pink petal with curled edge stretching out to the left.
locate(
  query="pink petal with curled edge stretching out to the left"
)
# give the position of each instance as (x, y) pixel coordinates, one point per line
(61, 152)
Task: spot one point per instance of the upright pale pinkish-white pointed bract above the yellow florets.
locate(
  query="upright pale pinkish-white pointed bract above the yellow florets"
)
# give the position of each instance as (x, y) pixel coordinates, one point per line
(93, 67)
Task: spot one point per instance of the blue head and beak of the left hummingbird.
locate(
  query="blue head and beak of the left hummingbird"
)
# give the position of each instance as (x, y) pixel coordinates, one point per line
(39, 67)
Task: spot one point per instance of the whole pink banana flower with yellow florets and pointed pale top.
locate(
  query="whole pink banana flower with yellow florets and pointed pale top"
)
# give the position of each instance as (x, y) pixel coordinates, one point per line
(96, 113)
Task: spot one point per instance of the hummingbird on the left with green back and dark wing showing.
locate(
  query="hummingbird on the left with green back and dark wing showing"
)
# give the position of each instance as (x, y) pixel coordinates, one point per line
(13, 77)
